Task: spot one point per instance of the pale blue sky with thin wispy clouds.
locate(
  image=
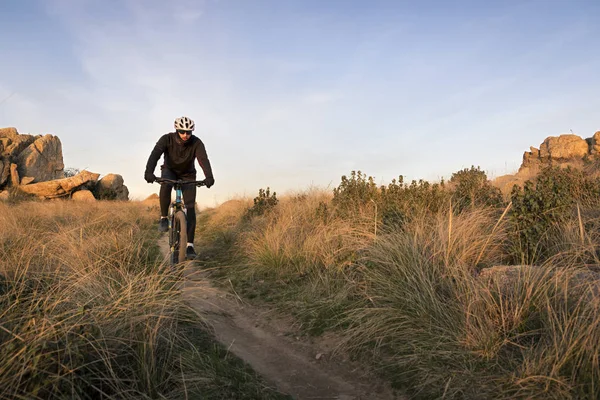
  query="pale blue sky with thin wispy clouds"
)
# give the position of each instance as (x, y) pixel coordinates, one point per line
(295, 93)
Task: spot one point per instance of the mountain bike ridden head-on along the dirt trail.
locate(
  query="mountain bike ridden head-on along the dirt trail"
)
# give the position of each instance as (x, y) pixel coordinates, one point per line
(177, 220)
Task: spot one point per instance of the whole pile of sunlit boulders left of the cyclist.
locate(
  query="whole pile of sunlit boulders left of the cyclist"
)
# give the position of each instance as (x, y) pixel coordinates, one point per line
(34, 165)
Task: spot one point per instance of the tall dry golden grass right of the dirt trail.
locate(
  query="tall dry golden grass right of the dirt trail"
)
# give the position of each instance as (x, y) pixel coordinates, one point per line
(429, 303)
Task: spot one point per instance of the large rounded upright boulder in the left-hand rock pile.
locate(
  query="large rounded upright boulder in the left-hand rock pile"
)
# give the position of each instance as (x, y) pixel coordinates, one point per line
(42, 159)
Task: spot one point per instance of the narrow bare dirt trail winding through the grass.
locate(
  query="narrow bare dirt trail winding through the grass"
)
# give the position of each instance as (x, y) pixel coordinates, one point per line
(305, 370)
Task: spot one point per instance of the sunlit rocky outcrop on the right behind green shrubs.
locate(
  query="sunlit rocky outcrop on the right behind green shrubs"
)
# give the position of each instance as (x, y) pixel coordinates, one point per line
(564, 150)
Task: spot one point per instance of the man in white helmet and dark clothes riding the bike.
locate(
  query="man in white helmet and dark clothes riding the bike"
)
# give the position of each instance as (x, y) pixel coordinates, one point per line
(180, 148)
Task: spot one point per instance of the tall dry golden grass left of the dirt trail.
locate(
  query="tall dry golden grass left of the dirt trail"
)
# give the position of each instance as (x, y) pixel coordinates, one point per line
(88, 311)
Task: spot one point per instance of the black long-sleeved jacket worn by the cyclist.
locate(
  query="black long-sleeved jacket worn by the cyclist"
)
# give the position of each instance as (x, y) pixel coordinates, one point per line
(180, 155)
